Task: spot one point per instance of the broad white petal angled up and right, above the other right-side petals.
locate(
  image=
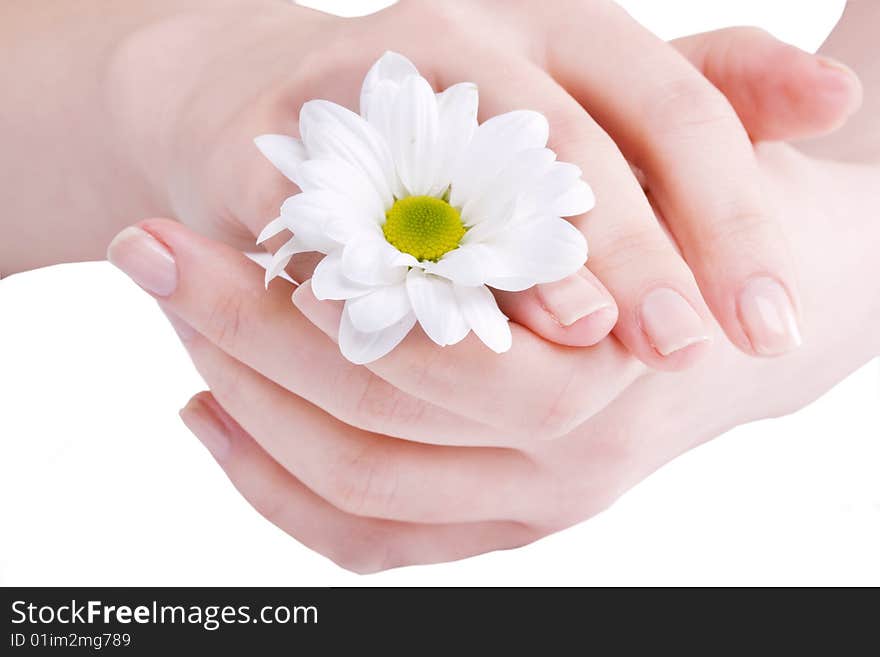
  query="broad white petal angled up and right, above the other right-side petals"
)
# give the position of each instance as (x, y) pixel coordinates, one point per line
(495, 142)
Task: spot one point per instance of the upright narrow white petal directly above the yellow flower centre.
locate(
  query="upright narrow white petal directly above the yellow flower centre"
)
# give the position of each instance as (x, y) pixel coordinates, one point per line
(414, 135)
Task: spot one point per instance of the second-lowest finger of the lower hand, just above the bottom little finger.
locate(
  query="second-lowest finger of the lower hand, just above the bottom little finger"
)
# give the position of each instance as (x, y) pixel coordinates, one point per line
(364, 473)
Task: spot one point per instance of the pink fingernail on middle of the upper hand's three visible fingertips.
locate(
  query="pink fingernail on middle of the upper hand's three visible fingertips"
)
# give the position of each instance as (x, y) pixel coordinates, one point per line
(670, 322)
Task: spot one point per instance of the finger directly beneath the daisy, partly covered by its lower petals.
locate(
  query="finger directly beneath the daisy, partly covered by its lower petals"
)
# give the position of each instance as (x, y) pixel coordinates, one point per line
(537, 388)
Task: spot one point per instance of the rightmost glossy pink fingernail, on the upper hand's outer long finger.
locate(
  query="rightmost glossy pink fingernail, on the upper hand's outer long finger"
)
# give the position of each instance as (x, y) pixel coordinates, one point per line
(768, 317)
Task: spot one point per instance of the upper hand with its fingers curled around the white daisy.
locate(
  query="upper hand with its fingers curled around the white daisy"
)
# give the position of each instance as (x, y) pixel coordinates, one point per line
(667, 118)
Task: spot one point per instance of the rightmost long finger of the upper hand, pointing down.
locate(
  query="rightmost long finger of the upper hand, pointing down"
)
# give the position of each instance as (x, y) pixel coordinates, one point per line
(700, 167)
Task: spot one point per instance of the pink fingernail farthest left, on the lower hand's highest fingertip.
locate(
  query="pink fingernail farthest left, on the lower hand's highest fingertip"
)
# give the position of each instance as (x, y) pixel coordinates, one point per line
(147, 261)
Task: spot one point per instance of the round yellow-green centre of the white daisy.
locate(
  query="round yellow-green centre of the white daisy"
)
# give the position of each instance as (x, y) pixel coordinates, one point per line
(423, 226)
